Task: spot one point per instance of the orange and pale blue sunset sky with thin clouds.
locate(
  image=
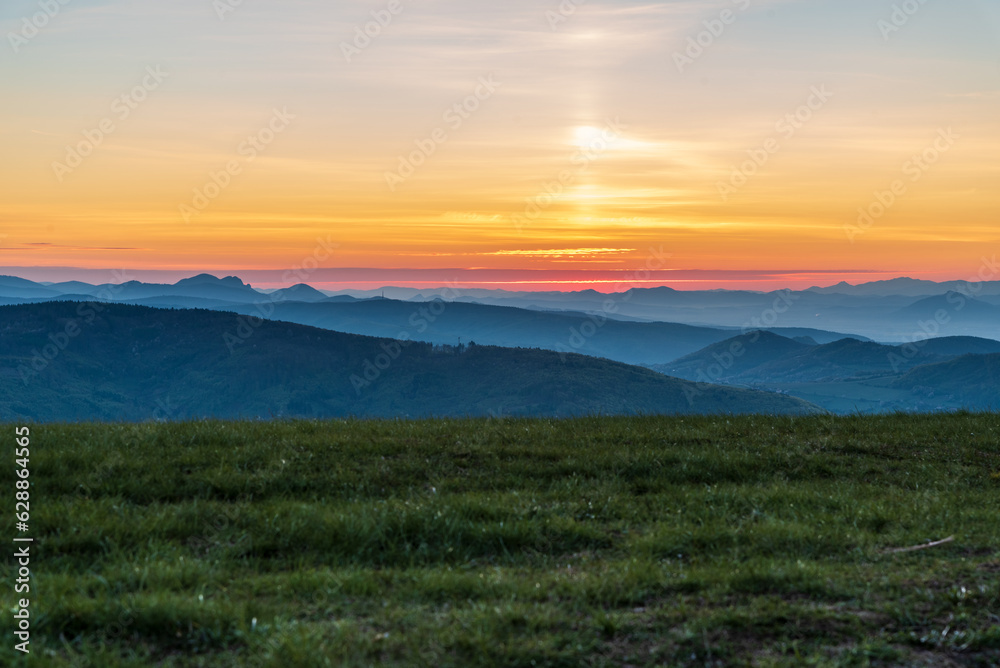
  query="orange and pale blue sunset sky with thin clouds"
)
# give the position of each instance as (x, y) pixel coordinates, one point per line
(526, 145)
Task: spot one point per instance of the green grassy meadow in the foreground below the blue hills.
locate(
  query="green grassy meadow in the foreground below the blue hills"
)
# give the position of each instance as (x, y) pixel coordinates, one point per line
(590, 542)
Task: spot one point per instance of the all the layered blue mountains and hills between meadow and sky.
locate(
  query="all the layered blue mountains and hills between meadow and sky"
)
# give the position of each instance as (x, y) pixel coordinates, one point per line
(938, 365)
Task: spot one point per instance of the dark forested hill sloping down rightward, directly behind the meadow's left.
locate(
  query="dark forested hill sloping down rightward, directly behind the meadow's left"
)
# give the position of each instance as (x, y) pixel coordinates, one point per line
(137, 363)
